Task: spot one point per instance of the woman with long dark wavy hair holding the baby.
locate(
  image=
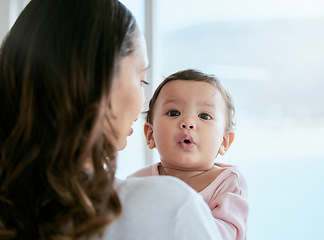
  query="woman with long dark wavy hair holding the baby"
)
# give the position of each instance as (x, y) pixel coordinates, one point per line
(71, 75)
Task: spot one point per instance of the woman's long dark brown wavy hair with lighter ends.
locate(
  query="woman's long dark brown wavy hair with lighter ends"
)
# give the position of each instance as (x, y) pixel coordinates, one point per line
(56, 69)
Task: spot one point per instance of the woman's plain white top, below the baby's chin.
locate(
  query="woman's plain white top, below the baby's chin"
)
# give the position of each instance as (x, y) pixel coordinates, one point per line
(161, 208)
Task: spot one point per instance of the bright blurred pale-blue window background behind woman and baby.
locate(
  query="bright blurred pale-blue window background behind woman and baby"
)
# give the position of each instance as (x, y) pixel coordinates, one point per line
(269, 55)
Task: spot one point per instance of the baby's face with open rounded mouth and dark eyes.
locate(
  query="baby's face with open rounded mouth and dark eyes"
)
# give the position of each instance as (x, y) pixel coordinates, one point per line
(189, 124)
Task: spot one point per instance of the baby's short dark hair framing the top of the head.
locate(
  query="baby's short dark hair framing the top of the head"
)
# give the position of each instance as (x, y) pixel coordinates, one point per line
(195, 75)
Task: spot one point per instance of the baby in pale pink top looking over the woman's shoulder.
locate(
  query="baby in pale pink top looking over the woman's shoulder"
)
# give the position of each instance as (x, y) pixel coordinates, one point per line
(190, 122)
